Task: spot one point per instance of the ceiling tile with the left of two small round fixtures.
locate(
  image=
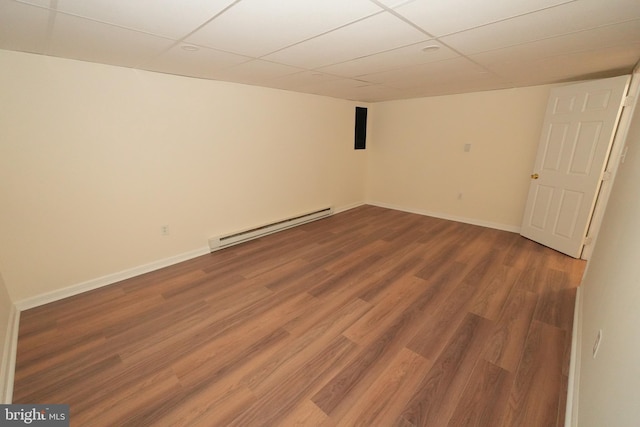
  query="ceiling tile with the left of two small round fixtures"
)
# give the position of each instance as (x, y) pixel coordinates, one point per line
(202, 63)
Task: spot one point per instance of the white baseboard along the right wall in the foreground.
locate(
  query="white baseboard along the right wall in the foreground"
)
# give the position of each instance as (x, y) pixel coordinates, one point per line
(571, 411)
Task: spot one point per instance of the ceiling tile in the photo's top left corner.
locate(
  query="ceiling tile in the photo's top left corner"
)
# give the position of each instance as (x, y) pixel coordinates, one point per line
(23, 27)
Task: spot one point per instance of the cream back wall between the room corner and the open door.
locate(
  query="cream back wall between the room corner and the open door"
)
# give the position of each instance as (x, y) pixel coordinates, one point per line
(417, 159)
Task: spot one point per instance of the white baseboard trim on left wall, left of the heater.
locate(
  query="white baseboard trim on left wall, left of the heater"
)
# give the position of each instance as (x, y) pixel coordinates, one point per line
(109, 279)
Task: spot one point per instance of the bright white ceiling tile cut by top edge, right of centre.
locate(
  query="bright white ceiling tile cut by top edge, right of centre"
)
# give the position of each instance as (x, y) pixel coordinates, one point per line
(439, 17)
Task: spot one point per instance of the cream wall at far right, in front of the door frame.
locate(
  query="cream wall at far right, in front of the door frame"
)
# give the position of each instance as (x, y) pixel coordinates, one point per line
(608, 389)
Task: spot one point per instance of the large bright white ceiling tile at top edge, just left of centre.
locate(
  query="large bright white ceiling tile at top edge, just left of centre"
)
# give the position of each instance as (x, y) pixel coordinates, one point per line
(258, 27)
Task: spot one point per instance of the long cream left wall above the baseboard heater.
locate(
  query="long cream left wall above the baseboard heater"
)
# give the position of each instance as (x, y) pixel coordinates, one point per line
(95, 159)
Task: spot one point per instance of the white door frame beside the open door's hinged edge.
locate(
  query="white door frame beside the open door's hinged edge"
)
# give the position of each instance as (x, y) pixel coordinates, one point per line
(616, 156)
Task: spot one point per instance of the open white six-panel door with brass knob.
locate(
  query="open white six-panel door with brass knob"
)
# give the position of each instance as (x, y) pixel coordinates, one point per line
(577, 134)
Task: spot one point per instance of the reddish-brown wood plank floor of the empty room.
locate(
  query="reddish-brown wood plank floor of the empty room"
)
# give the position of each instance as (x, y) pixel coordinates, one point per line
(372, 317)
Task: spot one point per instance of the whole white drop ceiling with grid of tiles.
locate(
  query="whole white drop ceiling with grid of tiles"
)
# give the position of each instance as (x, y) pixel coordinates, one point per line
(364, 50)
